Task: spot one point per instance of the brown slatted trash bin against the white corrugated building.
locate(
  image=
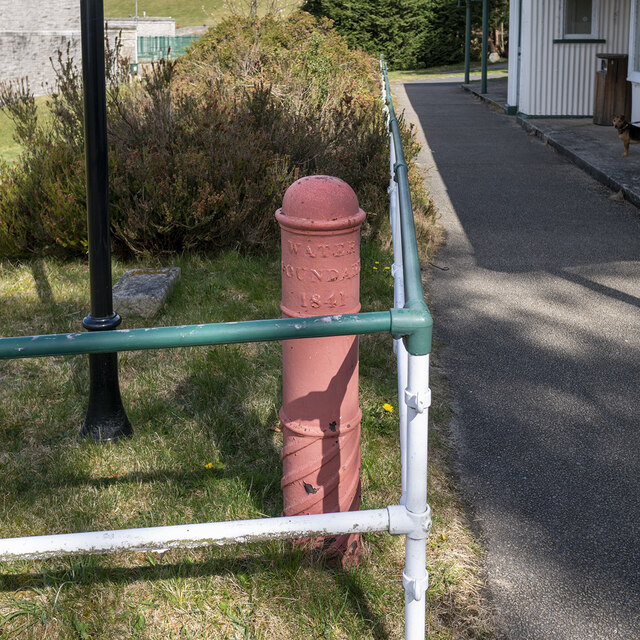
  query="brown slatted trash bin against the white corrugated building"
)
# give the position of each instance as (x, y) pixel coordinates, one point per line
(613, 92)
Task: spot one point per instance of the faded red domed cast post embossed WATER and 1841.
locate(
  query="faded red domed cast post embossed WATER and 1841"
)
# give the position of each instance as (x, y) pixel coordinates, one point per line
(320, 222)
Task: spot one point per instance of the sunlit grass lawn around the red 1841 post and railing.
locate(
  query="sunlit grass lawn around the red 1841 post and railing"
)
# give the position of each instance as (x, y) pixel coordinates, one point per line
(192, 409)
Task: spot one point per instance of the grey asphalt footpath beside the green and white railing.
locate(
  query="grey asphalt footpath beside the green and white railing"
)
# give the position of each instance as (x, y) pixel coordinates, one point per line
(540, 321)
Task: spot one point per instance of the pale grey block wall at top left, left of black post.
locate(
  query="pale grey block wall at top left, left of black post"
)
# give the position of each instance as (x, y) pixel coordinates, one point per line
(31, 32)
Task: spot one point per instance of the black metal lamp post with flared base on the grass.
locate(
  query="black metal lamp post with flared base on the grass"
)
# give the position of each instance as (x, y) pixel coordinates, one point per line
(105, 419)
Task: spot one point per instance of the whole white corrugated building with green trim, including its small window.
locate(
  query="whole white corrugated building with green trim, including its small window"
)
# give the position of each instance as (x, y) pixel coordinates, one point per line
(552, 53)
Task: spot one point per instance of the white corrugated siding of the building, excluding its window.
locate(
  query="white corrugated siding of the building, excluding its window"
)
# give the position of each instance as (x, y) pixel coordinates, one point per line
(558, 79)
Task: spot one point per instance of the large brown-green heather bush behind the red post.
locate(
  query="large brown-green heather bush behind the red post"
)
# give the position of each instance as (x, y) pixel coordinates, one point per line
(203, 148)
